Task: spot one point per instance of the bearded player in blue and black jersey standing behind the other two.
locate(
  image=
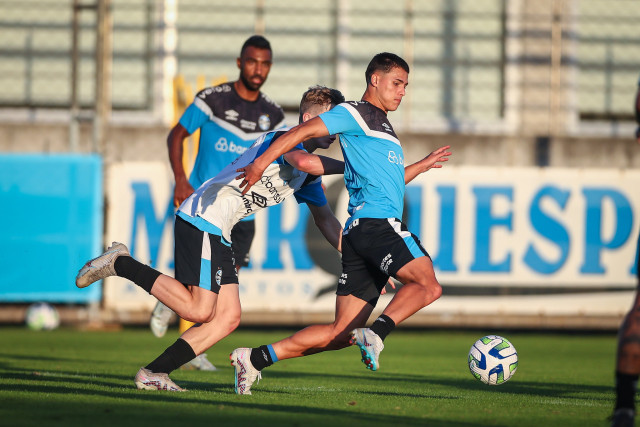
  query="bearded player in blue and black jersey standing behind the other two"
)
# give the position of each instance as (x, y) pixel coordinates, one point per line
(230, 117)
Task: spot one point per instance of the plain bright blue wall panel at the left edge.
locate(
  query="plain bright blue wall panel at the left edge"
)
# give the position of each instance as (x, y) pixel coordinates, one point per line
(51, 222)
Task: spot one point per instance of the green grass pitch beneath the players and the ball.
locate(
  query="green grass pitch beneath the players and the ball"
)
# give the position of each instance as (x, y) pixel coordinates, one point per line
(69, 377)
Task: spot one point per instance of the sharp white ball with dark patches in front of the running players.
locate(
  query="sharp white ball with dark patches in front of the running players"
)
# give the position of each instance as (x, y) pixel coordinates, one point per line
(493, 360)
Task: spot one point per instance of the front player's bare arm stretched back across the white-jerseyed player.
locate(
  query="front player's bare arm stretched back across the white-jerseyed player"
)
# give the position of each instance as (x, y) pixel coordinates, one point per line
(251, 173)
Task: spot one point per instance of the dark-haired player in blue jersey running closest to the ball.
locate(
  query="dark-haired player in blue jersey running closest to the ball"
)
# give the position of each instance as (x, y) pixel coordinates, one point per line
(375, 243)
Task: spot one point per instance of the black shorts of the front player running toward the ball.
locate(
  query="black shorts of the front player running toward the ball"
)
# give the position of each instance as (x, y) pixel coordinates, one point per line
(372, 250)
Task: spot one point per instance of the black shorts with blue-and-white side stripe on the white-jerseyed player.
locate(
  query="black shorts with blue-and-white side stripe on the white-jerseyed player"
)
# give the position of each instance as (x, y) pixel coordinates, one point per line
(201, 258)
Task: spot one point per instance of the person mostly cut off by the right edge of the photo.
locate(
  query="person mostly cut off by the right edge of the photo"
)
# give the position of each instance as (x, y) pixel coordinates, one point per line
(628, 357)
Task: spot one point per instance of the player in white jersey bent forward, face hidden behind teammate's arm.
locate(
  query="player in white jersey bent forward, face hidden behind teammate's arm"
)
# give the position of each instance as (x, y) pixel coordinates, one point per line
(206, 289)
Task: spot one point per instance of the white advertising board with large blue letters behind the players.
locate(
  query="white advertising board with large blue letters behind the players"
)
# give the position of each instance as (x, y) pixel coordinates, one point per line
(508, 240)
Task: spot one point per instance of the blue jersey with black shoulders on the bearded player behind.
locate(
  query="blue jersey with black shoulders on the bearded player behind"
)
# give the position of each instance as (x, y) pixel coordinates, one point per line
(228, 126)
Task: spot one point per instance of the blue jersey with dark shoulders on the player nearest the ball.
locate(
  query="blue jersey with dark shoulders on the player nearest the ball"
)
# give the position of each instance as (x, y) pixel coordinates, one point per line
(373, 160)
